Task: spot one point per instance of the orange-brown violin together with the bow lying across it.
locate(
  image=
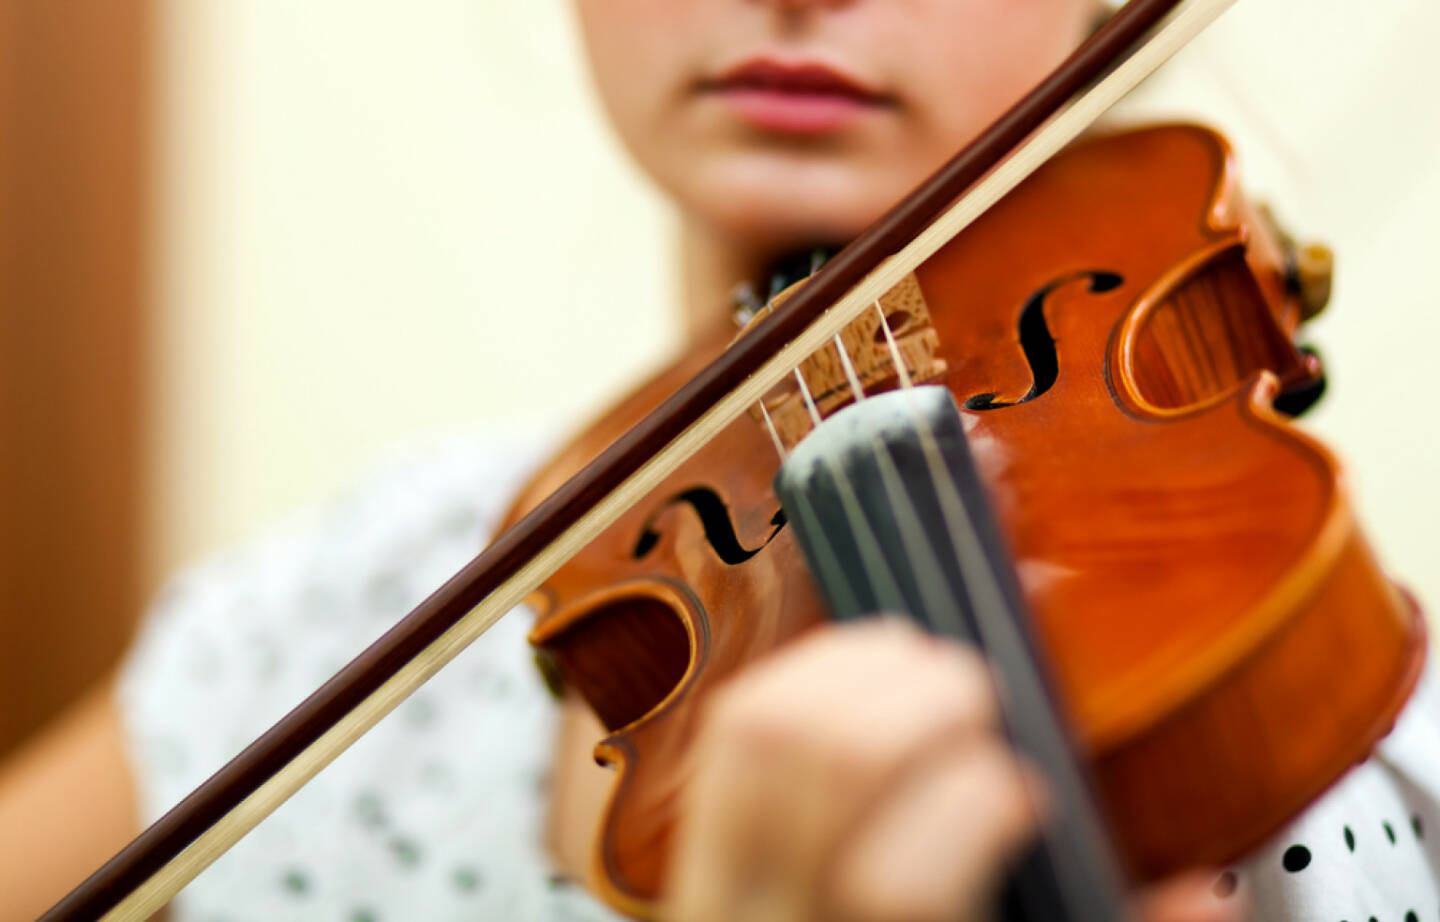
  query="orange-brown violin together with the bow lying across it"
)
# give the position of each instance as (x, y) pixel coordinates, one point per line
(1086, 378)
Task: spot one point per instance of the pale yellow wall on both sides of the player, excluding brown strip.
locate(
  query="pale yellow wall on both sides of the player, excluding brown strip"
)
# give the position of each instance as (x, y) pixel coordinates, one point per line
(381, 221)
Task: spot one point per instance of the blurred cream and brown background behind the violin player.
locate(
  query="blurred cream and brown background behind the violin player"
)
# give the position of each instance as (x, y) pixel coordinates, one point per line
(251, 250)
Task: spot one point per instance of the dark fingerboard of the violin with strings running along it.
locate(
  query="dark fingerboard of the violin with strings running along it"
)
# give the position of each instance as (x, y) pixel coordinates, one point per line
(892, 518)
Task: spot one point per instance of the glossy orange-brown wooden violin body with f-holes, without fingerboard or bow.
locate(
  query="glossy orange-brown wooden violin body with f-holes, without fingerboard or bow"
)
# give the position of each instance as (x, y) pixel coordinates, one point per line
(1118, 329)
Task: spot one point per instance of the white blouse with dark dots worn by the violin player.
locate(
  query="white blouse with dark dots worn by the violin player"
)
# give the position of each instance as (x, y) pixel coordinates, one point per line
(437, 813)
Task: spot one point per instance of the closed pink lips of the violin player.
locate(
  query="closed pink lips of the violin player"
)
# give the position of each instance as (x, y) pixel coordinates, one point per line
(796, 97)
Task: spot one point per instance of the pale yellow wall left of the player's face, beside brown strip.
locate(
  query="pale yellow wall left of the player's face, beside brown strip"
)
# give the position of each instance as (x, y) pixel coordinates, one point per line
(379, 221)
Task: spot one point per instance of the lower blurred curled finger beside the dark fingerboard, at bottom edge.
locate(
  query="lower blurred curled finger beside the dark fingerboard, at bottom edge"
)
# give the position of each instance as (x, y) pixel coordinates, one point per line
(935, 848)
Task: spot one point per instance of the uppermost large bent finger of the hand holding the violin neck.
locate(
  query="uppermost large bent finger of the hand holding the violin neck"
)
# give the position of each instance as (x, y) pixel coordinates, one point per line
(793, 753)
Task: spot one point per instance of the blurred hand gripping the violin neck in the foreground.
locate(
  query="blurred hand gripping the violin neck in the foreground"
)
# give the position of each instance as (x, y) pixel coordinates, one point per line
(859, 776)
